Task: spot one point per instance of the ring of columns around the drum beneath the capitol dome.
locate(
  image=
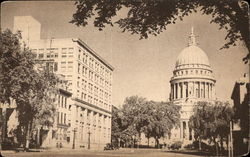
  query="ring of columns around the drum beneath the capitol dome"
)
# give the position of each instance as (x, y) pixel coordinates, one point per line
(192, 89)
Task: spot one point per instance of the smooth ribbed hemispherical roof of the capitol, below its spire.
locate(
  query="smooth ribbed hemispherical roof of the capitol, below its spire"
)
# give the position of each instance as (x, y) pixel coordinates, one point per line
(192, 55)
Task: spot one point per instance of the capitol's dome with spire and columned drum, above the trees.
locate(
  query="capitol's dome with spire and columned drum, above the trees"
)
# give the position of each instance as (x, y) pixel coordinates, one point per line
(193, 76)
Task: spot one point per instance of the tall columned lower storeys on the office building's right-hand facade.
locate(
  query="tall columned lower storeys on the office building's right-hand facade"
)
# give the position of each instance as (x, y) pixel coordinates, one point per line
(93, 128)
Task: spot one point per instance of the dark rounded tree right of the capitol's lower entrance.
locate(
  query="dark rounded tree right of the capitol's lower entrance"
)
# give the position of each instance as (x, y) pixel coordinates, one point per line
(212, 121)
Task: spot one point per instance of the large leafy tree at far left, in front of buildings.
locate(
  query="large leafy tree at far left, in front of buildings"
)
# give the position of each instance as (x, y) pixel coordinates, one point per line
(31, 89)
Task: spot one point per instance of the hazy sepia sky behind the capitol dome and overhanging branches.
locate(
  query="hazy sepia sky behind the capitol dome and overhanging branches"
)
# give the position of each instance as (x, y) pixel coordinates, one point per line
(142, 67)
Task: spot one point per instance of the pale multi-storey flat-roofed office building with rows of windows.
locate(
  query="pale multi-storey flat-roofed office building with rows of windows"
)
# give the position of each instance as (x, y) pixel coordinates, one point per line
(89, 79)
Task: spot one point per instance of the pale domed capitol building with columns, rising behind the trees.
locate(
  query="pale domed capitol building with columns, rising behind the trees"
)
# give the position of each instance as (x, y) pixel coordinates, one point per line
(192, 81)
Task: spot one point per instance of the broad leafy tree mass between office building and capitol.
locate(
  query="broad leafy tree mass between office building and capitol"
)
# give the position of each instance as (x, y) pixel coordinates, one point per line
(137, 116)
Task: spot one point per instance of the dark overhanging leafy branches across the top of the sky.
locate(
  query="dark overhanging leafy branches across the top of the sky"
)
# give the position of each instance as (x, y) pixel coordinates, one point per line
(147, 17)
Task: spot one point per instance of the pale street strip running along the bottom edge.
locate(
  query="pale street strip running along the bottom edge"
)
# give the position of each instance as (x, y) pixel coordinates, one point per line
(113, 153)
